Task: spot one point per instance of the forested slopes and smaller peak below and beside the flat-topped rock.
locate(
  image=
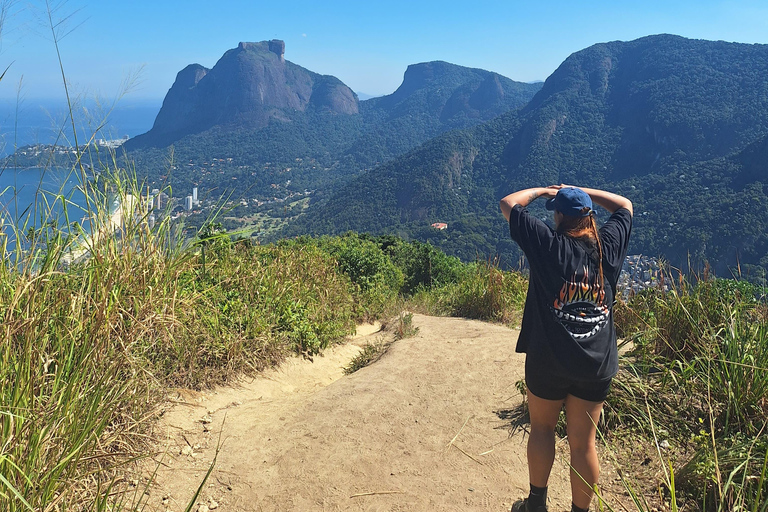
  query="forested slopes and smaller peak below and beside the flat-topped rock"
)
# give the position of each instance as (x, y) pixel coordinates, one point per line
(319, 151)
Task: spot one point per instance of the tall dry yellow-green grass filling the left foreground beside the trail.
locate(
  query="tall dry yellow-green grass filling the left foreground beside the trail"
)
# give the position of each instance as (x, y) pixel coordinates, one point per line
(75, 397)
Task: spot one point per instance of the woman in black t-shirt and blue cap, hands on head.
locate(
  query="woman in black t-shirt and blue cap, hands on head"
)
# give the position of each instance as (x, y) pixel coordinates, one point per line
(567, 330)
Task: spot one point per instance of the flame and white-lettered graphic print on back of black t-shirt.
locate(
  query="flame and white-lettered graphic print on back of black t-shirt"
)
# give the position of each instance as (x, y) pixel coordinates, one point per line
(580, 306)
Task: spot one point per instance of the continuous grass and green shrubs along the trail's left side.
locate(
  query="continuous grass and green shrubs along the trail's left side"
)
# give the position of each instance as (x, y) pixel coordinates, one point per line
(89, 344)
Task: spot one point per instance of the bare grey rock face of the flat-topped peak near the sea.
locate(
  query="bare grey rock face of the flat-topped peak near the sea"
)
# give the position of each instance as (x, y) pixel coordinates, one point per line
(248, 86)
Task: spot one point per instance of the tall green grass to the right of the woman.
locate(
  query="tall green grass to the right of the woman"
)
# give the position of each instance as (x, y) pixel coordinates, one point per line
(699, 369)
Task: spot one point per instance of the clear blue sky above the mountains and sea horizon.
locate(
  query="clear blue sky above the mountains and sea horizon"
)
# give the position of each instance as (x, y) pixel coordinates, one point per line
(367, 45)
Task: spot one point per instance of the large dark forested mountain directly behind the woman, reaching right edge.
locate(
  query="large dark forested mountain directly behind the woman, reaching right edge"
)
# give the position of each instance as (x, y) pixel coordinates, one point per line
(677, 125)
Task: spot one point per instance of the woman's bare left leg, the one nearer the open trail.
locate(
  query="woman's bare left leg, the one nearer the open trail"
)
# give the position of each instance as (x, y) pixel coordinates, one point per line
(541, 442)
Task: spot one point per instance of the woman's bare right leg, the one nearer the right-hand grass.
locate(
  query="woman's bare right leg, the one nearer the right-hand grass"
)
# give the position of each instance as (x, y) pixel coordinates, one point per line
(582, 417)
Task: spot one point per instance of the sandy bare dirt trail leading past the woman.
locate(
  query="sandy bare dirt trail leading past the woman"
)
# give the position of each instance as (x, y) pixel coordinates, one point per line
(430, 426)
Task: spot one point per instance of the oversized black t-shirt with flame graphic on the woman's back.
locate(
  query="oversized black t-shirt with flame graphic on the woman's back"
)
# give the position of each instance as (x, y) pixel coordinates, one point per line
(567, 324)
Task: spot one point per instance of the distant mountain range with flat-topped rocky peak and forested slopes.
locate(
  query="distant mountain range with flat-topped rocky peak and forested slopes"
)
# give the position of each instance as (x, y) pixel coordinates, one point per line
(282, 129)
